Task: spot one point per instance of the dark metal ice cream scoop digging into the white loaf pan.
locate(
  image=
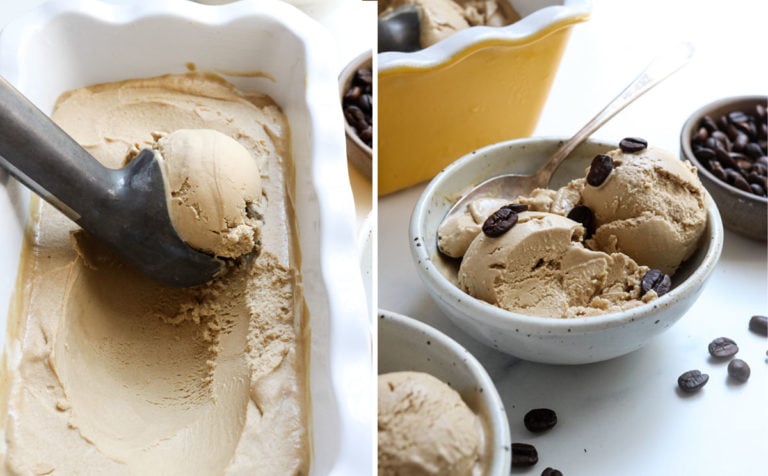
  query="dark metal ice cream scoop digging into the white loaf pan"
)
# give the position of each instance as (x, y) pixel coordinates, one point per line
(124, 208)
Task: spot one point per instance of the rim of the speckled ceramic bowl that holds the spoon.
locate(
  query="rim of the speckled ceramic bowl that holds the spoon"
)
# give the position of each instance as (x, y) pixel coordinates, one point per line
(488, 314)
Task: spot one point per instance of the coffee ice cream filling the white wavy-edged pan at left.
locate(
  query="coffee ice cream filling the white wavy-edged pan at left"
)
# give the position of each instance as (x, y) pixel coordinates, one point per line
(109, 372)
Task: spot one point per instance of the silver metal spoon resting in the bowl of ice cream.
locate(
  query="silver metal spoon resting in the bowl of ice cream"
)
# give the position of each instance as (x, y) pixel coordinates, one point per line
(513, 185)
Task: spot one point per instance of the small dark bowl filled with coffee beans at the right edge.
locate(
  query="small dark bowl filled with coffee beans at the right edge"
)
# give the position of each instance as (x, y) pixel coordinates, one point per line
(726, 141)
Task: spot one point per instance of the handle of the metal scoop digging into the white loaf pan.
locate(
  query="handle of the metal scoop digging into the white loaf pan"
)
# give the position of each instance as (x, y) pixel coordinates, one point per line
(46, 159)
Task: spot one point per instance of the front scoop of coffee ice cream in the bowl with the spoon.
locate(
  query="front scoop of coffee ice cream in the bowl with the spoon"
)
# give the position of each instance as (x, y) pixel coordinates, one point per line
(540, 267)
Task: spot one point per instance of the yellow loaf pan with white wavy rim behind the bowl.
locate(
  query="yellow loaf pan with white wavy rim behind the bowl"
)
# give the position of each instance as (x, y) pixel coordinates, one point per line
(479, 86)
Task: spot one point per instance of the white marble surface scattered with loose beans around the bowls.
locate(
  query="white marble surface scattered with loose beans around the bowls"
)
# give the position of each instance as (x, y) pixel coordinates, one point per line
(626, 416)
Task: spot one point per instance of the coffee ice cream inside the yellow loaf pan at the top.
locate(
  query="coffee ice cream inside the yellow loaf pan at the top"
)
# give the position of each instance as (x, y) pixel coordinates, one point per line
(441, 18)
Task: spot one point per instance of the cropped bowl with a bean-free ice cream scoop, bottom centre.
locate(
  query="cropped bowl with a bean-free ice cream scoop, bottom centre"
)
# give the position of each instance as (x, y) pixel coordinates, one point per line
(439, 411)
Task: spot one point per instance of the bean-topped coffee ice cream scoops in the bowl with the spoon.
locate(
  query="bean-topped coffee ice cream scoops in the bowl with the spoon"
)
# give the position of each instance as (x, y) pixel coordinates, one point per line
(599, 244)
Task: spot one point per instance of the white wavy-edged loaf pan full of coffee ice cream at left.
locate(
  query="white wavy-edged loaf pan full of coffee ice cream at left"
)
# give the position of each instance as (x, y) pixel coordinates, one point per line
(239, 375)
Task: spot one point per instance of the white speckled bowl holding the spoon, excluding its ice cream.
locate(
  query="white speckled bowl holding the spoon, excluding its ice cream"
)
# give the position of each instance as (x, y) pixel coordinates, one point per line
(541, 339)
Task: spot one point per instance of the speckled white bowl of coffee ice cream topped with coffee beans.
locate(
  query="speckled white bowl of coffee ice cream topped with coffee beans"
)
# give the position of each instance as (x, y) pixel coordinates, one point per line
(561, 285)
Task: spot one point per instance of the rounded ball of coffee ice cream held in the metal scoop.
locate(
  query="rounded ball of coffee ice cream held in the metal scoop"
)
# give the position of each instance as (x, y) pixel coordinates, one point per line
(212, 185)
